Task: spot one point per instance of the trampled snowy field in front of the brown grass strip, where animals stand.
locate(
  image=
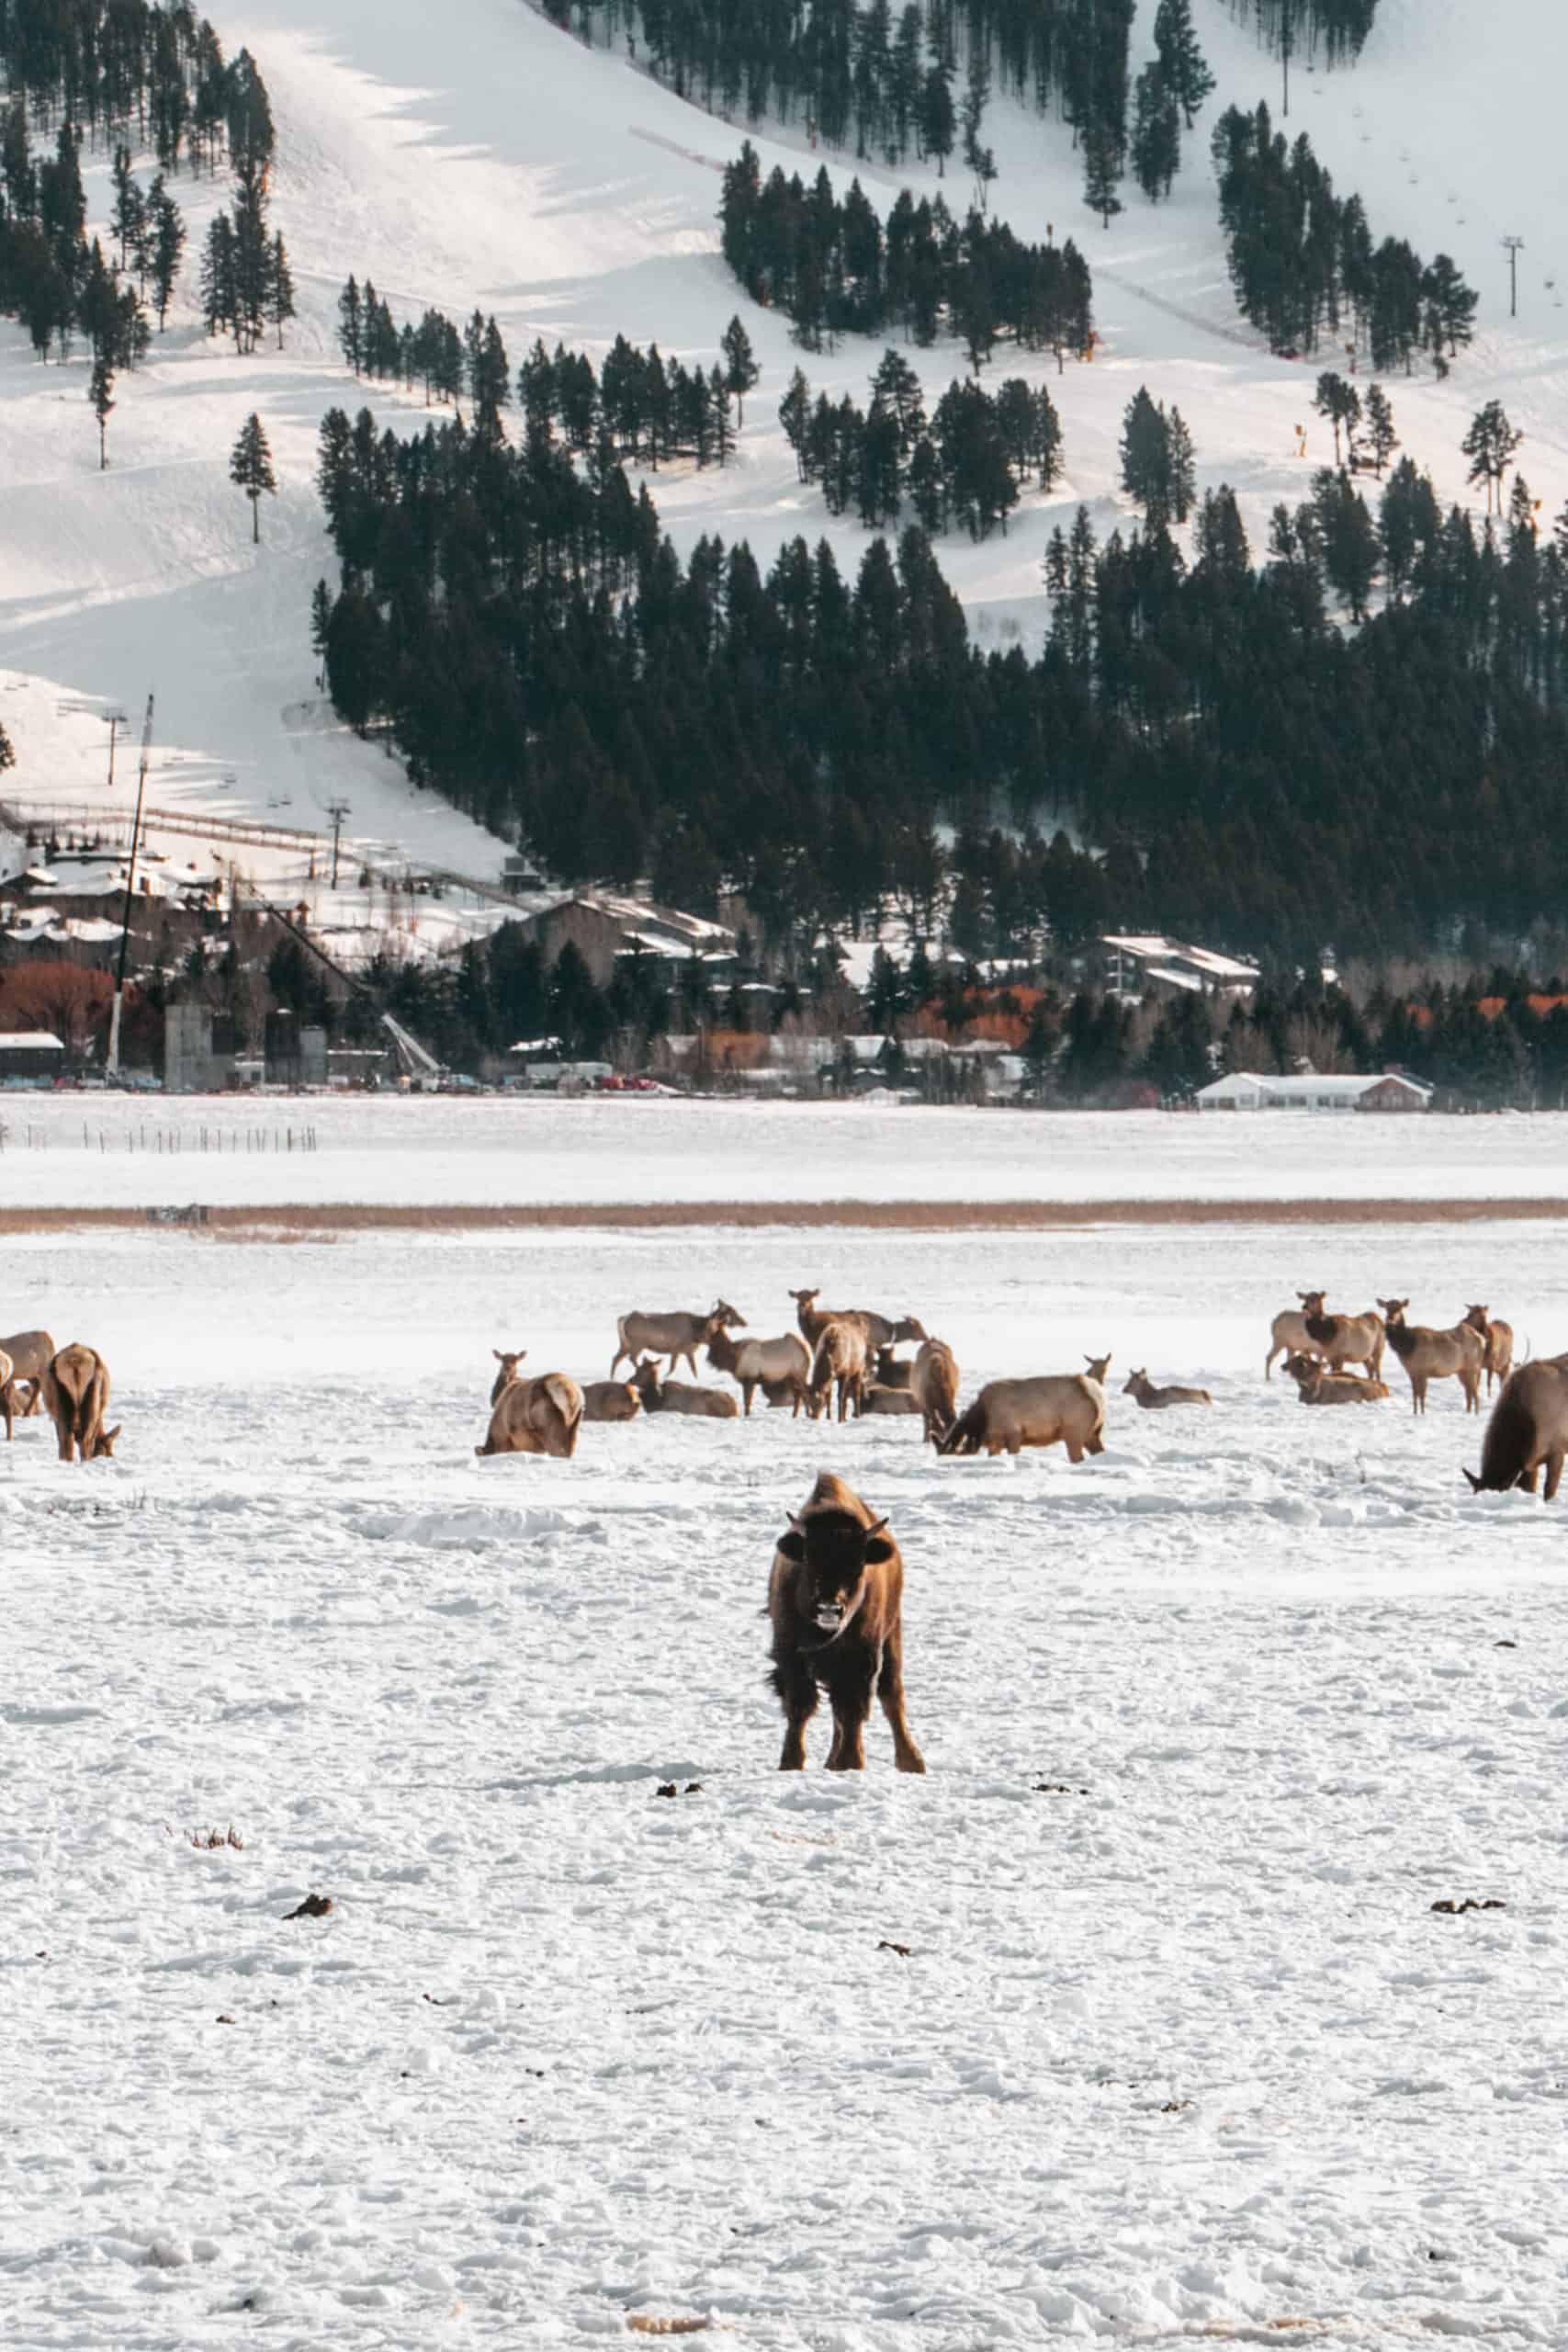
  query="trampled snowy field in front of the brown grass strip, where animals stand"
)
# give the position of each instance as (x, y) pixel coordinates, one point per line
(1177, 2045)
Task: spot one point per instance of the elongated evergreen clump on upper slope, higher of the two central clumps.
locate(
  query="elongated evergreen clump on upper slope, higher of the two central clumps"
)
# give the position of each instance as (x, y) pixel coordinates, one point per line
(833, 267)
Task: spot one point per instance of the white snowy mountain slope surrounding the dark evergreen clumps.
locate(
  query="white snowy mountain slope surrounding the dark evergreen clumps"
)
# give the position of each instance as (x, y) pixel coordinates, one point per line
(483, 156)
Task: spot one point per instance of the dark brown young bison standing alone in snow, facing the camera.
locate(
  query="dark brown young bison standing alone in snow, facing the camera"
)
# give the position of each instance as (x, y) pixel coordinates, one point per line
(836, 1598)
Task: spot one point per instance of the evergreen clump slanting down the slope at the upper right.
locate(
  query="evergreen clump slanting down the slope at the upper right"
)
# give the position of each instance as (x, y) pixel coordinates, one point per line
(1304, 262)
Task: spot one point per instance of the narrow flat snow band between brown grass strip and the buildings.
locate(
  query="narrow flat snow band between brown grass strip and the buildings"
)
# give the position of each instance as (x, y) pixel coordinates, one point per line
(415, 1151)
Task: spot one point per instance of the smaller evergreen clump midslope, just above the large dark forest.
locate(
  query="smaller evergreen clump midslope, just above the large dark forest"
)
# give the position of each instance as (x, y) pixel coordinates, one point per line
(963, 465)
